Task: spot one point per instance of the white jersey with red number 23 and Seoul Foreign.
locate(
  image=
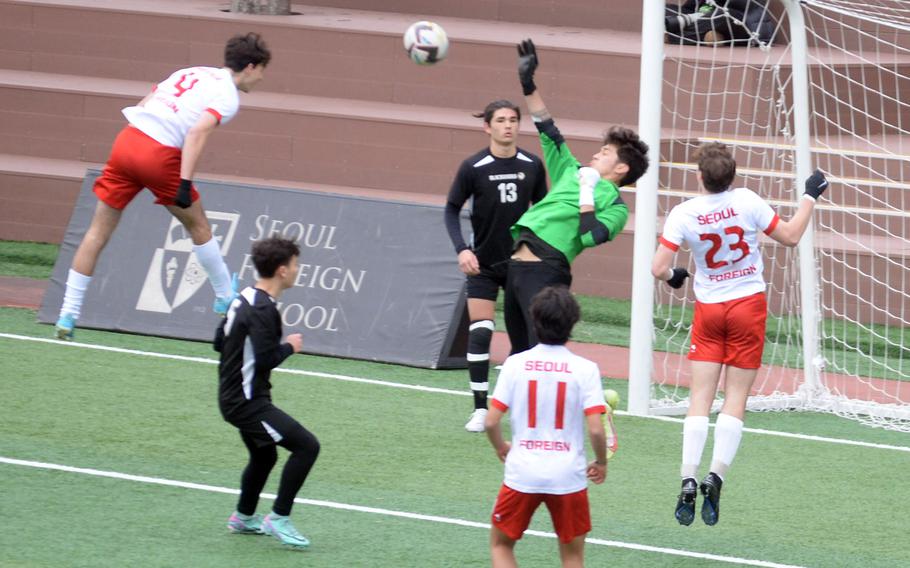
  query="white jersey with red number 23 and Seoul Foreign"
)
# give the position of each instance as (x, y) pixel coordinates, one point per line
(722, 230)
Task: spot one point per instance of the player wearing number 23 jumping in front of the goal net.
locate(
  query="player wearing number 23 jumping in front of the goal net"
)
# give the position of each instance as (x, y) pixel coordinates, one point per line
(722, 229)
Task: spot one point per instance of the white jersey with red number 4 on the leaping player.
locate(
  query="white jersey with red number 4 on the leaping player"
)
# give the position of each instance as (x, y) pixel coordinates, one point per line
(178, 102)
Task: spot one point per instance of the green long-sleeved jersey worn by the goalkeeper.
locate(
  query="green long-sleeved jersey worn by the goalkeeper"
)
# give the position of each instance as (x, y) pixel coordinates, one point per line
(555, 219)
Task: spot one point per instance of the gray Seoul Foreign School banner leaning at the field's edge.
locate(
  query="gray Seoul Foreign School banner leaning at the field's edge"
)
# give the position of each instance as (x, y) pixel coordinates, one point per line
(378, 279)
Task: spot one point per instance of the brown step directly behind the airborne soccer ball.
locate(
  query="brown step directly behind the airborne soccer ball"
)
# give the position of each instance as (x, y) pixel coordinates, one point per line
(327, 52)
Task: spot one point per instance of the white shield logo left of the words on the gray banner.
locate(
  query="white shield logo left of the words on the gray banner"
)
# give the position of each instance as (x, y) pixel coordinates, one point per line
(175, 273)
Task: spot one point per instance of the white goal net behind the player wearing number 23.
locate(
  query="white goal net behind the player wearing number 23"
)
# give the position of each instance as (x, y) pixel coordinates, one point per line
(852, 290)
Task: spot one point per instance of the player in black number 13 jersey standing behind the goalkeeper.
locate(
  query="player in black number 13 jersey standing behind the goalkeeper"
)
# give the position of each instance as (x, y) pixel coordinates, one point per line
(502, 181)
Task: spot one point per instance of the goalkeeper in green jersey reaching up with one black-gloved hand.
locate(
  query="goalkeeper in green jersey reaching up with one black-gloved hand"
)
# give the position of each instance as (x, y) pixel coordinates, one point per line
(583, 208)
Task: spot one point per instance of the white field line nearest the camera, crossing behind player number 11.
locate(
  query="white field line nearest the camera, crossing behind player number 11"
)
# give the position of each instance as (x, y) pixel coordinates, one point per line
(386, 512)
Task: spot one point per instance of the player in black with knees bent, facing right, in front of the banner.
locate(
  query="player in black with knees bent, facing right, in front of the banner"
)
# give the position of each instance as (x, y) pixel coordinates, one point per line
(249, 340)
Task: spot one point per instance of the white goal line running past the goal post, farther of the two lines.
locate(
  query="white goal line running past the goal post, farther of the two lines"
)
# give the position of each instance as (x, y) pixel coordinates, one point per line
(422, 388)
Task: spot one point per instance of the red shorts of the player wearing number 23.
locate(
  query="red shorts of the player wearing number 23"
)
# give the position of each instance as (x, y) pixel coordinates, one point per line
(732, 333)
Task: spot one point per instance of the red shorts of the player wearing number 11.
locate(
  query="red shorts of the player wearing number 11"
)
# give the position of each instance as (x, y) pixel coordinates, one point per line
(570, 513)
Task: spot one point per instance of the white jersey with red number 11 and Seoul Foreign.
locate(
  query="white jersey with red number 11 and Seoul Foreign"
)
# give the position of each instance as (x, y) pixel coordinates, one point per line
(547, 391)
